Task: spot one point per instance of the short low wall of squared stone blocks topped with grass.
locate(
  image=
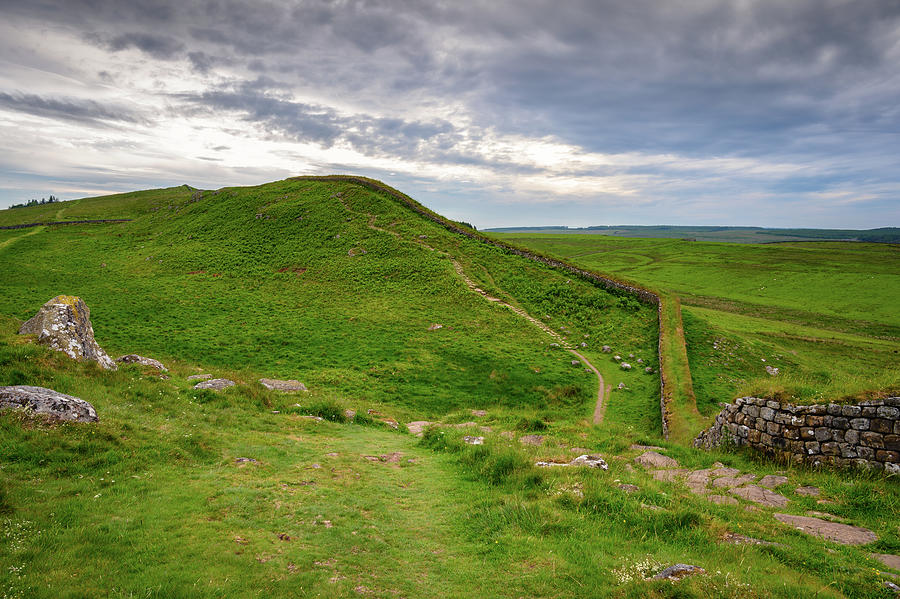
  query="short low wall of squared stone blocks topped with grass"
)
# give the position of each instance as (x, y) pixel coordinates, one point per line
(865, 434)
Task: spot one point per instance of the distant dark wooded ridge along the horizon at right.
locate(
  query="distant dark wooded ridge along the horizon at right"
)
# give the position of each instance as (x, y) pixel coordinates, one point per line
(724, 234)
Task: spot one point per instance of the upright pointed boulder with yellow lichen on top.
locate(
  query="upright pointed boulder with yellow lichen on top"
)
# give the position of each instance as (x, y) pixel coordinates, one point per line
(64, 324)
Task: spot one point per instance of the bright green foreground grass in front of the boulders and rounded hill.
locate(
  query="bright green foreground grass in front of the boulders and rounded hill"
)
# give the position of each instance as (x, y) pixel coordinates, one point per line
(319, 514)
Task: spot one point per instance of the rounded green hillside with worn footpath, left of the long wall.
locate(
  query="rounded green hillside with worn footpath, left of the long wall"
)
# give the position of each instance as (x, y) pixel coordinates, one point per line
(263, 279)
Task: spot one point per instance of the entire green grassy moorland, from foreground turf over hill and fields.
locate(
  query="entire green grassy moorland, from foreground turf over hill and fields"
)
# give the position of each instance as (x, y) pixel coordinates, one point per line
(341, 286)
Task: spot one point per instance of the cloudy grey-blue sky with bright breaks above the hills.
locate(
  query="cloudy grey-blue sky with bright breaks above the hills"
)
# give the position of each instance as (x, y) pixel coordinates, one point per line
(499, 113)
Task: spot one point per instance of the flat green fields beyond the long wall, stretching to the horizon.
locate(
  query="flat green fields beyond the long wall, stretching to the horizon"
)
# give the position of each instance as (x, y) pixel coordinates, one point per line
(823, 313)
